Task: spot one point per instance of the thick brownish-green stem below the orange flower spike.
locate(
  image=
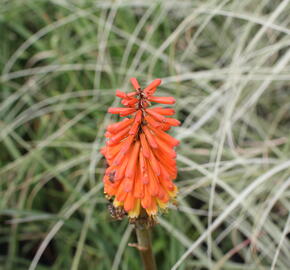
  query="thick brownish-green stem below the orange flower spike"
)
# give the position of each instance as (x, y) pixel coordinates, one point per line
(145, 247)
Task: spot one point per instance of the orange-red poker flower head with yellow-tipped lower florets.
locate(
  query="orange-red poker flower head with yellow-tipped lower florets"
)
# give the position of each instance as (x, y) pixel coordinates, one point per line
(140, 154)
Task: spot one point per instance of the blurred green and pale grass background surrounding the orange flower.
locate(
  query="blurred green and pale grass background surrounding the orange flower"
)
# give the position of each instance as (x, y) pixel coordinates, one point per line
(227, 64)
